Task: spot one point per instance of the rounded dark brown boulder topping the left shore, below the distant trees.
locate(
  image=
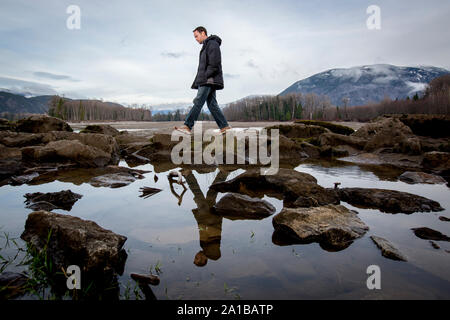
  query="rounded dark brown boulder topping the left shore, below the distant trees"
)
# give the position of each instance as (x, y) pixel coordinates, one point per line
(40, 123)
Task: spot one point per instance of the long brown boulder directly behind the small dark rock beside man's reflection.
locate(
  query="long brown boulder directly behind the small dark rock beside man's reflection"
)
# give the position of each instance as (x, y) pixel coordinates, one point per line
(286, 184)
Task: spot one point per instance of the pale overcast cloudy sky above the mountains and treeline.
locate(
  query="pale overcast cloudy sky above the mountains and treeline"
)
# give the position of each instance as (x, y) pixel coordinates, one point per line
(145, 52)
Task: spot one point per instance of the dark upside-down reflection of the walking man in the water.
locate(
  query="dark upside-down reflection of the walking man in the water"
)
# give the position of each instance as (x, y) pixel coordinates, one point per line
(209, 225)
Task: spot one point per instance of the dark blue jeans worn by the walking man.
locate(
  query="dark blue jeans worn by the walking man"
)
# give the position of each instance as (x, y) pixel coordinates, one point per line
(208, 94)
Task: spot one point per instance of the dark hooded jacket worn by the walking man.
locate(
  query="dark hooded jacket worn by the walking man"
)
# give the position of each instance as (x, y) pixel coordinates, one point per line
(210, 64)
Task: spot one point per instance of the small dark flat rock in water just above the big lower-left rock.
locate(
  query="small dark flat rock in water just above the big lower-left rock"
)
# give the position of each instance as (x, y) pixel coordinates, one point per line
(52, 200)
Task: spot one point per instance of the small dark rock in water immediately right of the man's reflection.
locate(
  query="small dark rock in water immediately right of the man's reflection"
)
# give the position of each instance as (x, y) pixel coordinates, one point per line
(236, 206)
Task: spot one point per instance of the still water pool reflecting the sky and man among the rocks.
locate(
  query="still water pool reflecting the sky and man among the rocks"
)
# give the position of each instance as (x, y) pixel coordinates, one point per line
(167, 231)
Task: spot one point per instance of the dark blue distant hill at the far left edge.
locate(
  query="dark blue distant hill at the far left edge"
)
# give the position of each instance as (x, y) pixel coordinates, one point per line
(15, 103)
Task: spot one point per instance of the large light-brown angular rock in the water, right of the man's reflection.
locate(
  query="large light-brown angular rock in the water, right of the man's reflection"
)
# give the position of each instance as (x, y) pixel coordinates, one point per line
(334, 227)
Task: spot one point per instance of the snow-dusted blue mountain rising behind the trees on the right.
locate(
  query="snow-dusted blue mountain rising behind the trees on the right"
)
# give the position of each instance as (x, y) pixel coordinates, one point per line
(363, 84)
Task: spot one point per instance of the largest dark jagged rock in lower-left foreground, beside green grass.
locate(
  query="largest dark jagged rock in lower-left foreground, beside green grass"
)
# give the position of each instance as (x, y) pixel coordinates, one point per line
(74, 241)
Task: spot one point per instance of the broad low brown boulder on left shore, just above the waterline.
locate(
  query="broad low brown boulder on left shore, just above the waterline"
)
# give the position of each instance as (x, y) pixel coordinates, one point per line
(68, 150)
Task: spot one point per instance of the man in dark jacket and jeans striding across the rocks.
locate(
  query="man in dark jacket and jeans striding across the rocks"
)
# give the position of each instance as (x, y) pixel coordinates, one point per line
(209, 78)
